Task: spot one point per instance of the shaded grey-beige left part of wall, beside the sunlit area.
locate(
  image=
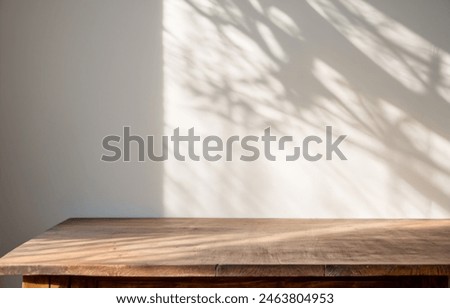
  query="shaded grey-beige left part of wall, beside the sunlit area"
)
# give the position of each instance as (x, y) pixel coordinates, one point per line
(72, 72)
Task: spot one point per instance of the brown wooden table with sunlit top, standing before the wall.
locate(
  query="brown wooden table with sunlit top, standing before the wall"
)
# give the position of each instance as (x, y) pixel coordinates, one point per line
(235, 252)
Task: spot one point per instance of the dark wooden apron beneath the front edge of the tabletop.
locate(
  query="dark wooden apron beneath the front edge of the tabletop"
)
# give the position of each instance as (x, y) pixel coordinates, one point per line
(241, 282)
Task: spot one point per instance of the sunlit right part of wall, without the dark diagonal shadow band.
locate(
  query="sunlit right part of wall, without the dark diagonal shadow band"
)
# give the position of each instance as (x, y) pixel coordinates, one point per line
(237, 67)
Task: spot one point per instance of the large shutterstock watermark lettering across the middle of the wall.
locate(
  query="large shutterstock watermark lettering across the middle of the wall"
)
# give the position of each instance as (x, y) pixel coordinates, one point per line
(214, 148)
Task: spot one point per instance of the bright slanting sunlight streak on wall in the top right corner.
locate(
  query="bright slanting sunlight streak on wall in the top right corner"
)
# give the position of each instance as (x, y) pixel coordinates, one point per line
(403, 54)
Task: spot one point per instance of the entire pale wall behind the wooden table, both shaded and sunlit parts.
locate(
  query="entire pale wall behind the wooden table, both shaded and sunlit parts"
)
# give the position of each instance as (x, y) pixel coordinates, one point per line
(74, 71)
